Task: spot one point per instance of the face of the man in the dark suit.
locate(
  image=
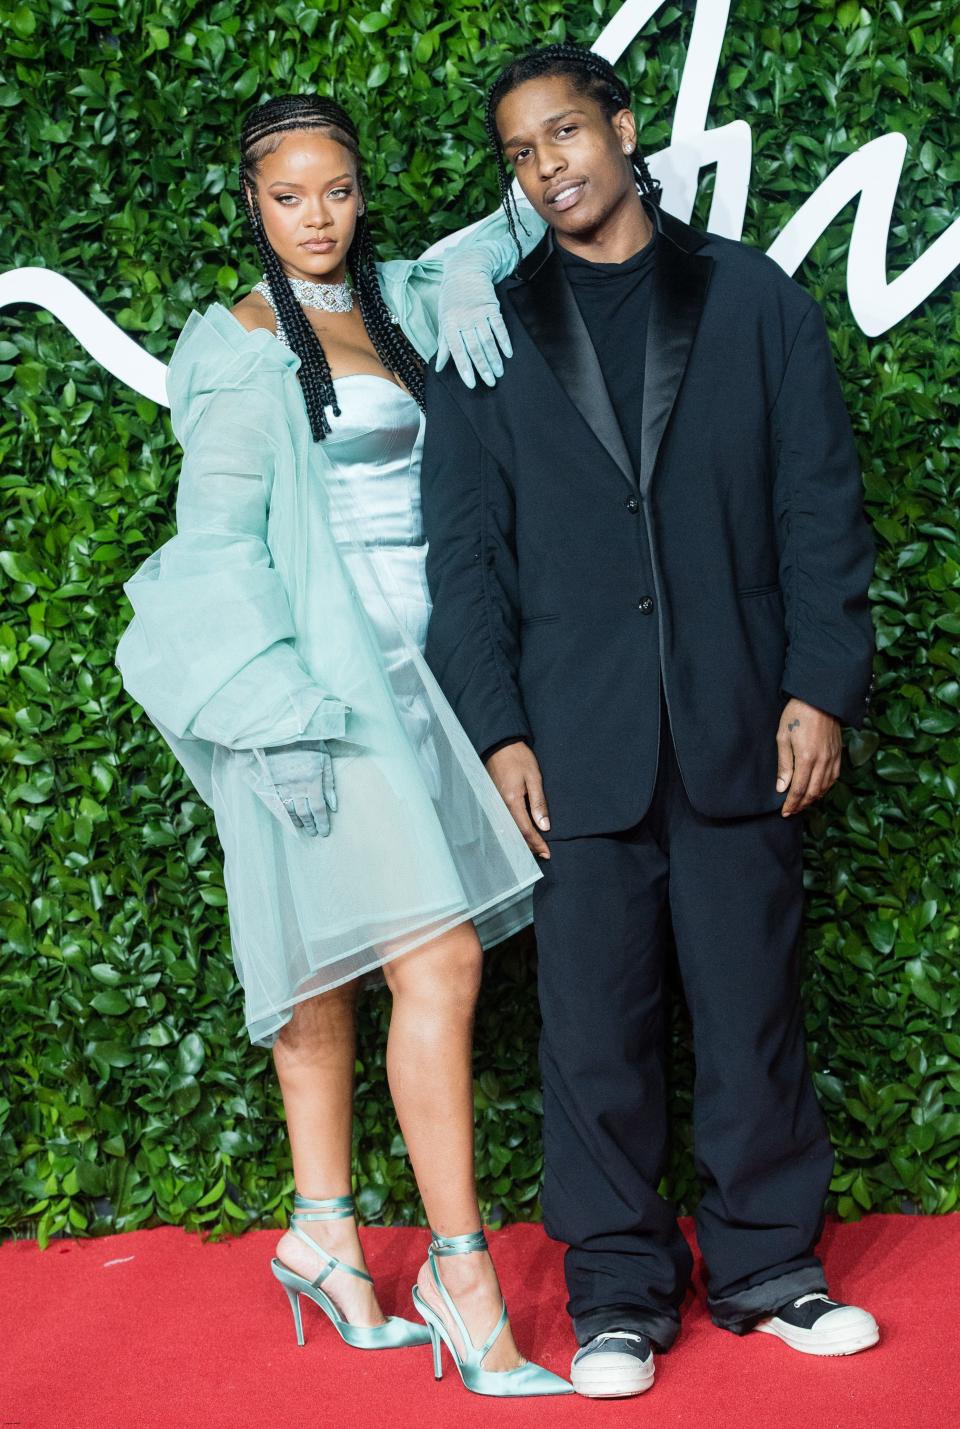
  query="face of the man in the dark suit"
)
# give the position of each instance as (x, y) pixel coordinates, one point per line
(568, 156)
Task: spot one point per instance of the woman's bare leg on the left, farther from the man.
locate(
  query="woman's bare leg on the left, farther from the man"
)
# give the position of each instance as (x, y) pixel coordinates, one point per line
(315, 1060)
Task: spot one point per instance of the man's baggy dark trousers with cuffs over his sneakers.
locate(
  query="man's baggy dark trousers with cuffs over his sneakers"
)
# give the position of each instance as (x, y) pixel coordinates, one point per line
(732, 891)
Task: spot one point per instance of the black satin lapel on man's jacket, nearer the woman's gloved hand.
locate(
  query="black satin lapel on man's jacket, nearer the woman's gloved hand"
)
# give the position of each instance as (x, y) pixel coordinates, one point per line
(549, 312)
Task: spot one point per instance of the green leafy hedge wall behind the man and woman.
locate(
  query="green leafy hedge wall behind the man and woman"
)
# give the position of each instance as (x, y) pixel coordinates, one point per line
(128, 1091)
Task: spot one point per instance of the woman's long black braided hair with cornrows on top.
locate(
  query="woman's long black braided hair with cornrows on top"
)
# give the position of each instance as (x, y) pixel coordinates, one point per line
(264, 131)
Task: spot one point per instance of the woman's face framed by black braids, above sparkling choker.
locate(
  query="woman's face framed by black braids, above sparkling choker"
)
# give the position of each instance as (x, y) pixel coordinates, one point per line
(309, 199)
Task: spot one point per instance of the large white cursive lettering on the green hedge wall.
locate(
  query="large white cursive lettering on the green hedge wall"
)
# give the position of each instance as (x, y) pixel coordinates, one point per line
(872, 175)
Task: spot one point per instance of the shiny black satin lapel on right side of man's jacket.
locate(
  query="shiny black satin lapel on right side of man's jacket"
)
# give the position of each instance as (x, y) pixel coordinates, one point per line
(681, 281)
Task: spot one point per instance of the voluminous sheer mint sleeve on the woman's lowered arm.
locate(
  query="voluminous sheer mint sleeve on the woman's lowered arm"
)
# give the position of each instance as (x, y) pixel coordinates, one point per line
(211, 652)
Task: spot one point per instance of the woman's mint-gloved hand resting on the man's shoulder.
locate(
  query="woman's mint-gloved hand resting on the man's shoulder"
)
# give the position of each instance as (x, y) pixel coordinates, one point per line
(471, 321)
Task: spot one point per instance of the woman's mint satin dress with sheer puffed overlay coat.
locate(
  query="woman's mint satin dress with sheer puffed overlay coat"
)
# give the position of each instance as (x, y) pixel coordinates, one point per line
(292, 605)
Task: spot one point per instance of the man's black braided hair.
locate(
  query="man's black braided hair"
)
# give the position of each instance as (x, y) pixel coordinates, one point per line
(592, 76)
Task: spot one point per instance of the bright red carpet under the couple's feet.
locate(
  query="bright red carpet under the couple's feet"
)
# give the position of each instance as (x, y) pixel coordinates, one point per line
(159, 1330)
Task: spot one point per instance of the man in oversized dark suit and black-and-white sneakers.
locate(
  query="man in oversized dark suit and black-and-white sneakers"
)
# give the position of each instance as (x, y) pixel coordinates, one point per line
(649, 565)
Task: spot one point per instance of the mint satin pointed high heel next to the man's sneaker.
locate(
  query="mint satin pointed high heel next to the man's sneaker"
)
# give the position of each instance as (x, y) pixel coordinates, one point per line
(509, 1384)
